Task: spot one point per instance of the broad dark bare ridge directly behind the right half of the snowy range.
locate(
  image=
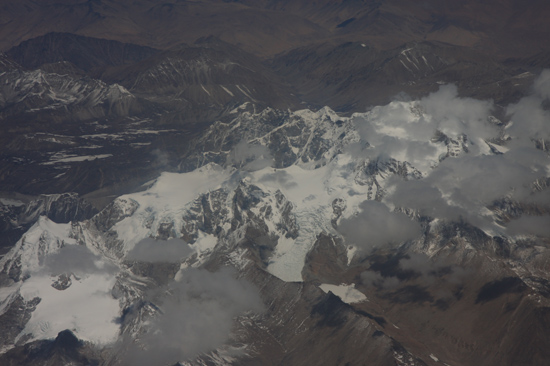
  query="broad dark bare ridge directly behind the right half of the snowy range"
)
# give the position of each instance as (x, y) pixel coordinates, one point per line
(367, 74)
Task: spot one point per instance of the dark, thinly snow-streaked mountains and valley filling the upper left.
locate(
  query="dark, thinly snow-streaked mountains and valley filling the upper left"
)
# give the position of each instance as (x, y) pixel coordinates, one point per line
(59, 117)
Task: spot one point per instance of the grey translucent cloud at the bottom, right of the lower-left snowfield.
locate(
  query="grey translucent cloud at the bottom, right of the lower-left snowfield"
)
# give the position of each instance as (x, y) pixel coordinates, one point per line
(196, 315)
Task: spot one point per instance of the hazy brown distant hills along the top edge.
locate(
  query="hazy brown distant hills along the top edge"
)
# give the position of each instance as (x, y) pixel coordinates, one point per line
(501, 27)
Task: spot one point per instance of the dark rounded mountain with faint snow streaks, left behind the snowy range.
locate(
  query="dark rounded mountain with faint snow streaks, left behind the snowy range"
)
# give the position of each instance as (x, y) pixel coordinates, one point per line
(209, 72)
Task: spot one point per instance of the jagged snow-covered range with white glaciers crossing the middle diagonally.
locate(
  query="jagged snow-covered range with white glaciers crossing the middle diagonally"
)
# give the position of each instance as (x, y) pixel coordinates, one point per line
(259, 192)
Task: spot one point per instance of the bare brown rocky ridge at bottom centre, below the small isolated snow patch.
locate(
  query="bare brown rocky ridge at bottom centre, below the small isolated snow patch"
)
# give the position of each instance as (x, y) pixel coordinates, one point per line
(301, 322)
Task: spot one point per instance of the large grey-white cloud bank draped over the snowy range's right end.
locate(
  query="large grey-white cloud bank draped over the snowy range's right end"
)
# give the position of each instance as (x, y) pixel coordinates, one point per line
(461, 187)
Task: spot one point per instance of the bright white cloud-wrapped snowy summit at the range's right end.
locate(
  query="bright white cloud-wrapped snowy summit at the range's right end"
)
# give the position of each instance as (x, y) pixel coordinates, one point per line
(404, 130)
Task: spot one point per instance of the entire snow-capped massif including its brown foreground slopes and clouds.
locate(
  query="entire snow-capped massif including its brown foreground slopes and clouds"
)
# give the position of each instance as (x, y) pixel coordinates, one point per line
(394, 213)
